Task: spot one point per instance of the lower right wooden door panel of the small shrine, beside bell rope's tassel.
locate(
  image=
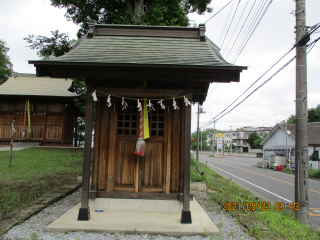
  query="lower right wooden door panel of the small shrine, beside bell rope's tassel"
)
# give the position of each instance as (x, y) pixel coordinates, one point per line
(153, 165)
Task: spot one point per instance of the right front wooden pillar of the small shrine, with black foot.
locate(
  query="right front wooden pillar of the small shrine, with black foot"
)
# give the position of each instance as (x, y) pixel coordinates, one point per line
(186, 213)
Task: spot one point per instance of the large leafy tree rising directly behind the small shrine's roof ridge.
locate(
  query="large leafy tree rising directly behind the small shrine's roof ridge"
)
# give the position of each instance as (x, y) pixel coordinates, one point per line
(139, 12)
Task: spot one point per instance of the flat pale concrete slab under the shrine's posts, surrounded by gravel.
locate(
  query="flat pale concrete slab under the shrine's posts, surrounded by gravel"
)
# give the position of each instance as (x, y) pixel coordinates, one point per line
(136, 222)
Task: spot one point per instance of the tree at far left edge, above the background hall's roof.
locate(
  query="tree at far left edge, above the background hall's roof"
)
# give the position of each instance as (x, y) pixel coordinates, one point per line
(6, 70)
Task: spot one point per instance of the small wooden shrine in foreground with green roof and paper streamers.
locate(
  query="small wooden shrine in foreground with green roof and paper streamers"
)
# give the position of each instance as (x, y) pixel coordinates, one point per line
(168, 65)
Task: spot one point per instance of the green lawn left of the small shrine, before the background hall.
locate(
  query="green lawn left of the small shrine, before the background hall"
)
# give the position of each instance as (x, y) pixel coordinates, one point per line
(33, 173)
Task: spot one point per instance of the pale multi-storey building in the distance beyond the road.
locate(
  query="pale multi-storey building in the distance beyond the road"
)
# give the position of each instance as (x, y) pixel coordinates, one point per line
(240, 137)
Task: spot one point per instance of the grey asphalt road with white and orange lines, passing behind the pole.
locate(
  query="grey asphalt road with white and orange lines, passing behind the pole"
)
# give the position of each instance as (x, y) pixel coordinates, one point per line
(271, 185)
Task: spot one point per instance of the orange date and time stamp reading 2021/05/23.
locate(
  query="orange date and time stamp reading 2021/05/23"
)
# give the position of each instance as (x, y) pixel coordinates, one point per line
(259, 206)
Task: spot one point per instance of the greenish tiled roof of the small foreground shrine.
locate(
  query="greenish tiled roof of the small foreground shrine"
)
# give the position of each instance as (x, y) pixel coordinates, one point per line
(139, 45)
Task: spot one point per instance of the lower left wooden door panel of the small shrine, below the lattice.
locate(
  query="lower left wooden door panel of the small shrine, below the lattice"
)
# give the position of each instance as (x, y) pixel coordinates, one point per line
(124, 164)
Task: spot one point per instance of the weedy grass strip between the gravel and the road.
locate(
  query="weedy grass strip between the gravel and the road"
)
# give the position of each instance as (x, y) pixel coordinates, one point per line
(268, 224)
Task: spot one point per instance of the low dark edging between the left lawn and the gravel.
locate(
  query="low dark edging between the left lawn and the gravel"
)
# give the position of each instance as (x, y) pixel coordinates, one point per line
(26, 211)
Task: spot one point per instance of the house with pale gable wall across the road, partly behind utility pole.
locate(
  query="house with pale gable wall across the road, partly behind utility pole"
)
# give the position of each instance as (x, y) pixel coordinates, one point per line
(281, 140)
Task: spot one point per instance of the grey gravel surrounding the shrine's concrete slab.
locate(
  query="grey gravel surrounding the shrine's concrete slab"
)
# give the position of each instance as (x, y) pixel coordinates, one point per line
(34, 227)
